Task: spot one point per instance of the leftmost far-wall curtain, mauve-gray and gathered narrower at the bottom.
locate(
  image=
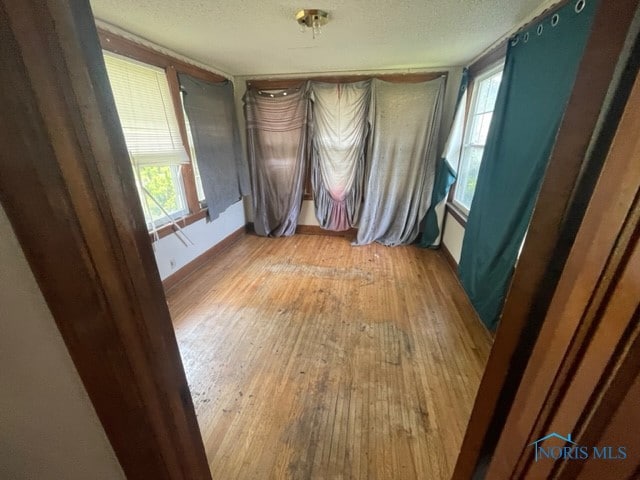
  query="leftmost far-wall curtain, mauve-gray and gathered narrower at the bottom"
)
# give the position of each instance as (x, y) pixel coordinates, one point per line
(278, 148)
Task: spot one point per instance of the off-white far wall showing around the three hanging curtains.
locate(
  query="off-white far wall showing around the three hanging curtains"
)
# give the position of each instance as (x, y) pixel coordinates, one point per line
(307, 213)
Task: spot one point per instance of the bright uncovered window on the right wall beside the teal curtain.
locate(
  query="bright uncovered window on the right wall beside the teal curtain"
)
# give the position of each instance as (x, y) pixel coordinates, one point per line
(483, 101)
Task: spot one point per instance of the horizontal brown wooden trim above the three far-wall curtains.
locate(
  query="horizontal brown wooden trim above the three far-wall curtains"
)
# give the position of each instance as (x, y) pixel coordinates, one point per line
(282, 83)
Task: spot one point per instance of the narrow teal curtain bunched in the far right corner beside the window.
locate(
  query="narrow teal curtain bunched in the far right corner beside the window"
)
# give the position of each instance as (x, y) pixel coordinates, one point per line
(445, 176)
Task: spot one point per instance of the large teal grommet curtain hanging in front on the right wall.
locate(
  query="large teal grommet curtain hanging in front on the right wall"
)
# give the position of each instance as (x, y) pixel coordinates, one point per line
(540, 71)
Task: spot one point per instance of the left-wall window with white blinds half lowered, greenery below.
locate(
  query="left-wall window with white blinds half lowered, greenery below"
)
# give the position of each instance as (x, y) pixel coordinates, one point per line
(151, 131)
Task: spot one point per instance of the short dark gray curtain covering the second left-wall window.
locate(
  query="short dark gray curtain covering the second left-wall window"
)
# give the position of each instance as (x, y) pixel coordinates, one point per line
(211, 113)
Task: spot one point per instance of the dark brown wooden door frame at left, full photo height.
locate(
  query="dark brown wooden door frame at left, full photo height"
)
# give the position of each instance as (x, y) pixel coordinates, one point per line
(67, 186)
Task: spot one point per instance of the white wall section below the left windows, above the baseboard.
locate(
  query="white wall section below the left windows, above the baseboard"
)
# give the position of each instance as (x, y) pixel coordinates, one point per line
(171, 254)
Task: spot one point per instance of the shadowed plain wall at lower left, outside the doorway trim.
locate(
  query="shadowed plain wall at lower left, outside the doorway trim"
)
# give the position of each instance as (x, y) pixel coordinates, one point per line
(48, 427)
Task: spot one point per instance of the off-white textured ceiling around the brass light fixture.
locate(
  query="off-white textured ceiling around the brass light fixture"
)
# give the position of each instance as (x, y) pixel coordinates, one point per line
(261, 37)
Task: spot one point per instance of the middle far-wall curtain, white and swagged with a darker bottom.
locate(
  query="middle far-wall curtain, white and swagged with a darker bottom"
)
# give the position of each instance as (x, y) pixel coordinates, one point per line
(340, 127)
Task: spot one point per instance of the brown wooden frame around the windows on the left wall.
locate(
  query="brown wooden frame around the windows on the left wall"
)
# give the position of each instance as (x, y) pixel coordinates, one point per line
(172, 66)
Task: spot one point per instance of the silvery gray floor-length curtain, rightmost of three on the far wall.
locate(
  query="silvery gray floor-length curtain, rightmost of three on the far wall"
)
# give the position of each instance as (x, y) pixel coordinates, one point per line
(401, 160)
